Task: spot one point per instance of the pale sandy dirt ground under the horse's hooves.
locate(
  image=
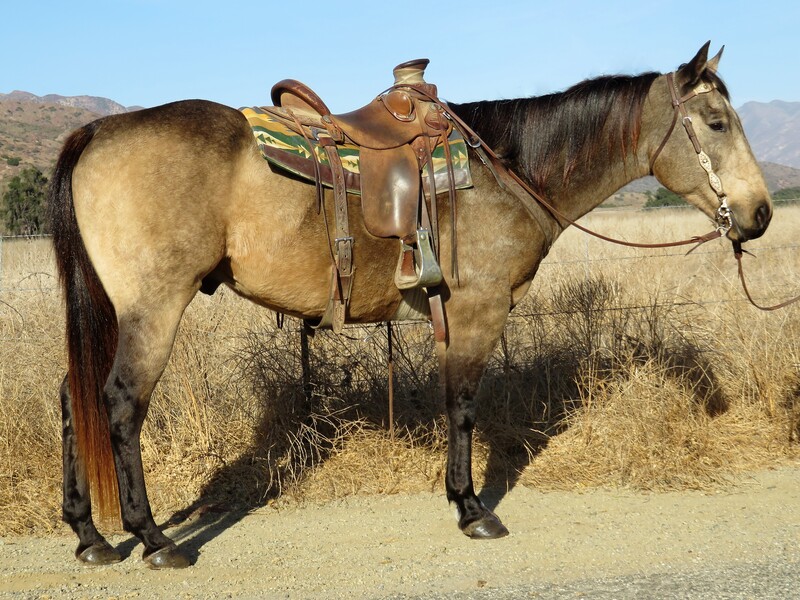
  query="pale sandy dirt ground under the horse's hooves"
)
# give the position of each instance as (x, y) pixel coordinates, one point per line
(408, 546)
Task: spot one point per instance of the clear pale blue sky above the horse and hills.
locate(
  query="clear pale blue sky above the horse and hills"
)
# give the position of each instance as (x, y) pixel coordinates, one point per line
(147, 52)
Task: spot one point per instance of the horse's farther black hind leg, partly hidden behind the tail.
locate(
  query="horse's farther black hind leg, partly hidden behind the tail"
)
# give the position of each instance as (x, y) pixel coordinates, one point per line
(77, 506)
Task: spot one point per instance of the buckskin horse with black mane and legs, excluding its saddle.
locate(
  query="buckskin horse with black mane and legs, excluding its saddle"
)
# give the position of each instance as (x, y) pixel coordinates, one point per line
(149, 207)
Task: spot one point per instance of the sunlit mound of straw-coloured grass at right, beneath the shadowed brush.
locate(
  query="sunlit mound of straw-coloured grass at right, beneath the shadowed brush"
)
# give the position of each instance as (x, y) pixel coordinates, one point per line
(646, 430)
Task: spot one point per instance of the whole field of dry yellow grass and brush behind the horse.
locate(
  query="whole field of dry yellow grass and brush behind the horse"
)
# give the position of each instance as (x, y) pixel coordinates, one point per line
(641, 369)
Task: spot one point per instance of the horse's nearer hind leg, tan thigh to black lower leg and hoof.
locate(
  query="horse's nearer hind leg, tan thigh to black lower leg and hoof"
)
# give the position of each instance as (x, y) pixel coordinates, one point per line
(146, 336)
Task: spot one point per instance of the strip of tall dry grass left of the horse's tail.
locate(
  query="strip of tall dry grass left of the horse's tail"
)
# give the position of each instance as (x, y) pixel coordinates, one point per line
(30, 424)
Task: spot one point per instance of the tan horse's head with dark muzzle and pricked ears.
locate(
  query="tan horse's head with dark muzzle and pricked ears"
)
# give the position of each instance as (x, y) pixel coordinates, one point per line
(704, 155)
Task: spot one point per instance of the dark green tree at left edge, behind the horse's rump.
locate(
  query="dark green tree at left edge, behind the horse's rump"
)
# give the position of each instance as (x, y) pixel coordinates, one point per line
(25, 203)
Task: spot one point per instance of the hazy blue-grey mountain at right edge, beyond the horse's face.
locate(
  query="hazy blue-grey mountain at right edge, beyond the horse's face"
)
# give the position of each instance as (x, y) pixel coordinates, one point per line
(773, 130)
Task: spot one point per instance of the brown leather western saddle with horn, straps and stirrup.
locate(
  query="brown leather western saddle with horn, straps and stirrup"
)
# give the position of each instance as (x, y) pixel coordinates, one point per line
(396, 135)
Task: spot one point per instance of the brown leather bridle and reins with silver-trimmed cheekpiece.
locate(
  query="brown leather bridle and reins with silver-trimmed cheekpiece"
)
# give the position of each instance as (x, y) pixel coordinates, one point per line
(723, 216)
